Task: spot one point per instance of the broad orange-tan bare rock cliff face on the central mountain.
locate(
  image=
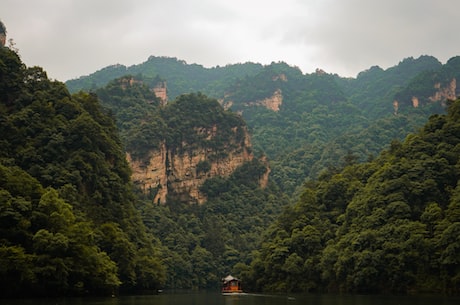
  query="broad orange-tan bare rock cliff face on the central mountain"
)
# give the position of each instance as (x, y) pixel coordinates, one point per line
(169, 172)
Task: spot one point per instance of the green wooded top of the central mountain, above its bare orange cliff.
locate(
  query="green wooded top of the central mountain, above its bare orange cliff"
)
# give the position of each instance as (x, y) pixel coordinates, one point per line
(144, 125)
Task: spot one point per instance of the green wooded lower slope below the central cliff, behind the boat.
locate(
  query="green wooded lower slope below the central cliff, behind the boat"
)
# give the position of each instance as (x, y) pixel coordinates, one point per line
(206, 241)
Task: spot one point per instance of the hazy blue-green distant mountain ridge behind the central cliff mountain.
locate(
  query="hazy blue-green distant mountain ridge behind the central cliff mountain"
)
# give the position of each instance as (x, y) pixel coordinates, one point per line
(307, 123)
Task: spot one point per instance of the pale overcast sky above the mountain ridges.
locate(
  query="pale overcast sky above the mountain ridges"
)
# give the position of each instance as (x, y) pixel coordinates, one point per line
(70, 38)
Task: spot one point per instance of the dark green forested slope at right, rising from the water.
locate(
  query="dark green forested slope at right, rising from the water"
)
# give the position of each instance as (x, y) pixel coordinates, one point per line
(390, 225)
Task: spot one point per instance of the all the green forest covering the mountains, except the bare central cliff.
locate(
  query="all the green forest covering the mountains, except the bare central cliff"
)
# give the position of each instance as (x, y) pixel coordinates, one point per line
(353, 204)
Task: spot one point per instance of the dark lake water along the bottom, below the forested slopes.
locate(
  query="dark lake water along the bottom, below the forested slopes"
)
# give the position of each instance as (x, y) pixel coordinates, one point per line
(247, 299)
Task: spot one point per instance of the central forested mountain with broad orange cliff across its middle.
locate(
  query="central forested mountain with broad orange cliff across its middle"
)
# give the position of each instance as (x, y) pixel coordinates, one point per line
(202, 241)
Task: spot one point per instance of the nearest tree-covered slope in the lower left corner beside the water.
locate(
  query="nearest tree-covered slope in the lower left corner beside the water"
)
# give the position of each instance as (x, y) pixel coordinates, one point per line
(44, 246)
